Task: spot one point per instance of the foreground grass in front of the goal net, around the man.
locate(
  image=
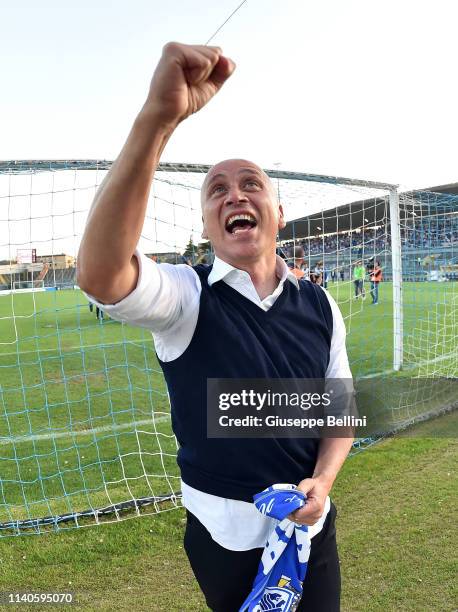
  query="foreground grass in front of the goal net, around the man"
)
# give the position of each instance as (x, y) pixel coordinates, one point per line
(396, 526)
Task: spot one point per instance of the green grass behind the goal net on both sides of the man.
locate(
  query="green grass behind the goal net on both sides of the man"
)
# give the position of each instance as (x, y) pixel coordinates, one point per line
(77, 397)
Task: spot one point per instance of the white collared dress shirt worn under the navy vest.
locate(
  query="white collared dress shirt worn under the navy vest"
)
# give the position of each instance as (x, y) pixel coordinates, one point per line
(166, 301)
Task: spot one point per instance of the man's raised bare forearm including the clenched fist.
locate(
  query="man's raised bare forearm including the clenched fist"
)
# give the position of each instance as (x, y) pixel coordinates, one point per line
(185, 79)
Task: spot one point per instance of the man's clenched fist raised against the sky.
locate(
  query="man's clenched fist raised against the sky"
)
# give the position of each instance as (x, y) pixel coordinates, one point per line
(185, 79)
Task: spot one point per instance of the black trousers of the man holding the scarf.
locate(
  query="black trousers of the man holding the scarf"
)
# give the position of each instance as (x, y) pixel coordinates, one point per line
(226, 577)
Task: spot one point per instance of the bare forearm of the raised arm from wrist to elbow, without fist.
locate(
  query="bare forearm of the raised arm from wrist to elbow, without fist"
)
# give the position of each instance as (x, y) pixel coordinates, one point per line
(116, 218)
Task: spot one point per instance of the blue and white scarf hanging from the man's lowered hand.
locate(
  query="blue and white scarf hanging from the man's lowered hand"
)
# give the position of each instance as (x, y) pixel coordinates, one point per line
(278, 585)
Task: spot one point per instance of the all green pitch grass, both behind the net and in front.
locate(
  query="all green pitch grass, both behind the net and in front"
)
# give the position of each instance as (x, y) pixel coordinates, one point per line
(76, 431)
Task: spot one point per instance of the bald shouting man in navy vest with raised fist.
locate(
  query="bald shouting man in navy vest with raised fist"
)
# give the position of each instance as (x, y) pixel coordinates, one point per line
(247, 316)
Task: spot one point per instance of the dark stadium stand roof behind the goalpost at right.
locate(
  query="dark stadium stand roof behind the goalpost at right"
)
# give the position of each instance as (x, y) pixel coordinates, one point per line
(368, 212)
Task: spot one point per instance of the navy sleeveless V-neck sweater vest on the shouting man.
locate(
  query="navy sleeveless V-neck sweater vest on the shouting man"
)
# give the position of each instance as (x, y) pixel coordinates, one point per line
(234, 338)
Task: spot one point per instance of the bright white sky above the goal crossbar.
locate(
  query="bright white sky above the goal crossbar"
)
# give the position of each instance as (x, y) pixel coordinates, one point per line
(363, 89)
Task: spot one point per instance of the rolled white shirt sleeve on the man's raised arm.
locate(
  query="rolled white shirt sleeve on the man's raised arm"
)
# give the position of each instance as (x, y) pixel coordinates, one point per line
(165, 301)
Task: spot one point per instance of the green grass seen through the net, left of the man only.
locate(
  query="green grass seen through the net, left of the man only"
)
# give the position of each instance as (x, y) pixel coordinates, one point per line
(69, 401)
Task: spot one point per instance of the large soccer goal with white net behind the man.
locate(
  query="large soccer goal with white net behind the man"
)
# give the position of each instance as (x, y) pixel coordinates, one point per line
(85, 430)
